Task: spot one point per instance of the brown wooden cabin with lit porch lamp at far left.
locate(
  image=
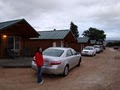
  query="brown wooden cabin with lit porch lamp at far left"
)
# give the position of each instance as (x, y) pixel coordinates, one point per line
(13, 35)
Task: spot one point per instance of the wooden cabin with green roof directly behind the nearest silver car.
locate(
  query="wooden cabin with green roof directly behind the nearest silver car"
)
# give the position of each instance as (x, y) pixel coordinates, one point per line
(54, 38)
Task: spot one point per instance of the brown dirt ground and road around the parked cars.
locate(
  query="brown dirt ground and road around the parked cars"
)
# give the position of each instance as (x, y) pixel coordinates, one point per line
(101, 72)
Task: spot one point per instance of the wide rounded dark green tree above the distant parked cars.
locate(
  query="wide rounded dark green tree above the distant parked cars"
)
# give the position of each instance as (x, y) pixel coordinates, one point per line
(95, 34)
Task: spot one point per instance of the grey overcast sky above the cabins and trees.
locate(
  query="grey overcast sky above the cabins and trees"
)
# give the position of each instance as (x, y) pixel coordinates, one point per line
(57, 14)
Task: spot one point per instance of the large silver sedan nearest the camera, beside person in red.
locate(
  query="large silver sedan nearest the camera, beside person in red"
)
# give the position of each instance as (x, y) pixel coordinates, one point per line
(59, 60)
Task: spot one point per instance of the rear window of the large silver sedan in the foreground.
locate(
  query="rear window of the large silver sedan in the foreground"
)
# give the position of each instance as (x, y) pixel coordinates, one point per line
(53, 52)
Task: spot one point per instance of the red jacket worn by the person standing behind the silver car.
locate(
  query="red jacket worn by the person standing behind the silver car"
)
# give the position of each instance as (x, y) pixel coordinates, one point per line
(39, 59)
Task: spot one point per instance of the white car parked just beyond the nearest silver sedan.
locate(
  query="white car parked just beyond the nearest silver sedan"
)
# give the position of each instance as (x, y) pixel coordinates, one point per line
(89, 50)
